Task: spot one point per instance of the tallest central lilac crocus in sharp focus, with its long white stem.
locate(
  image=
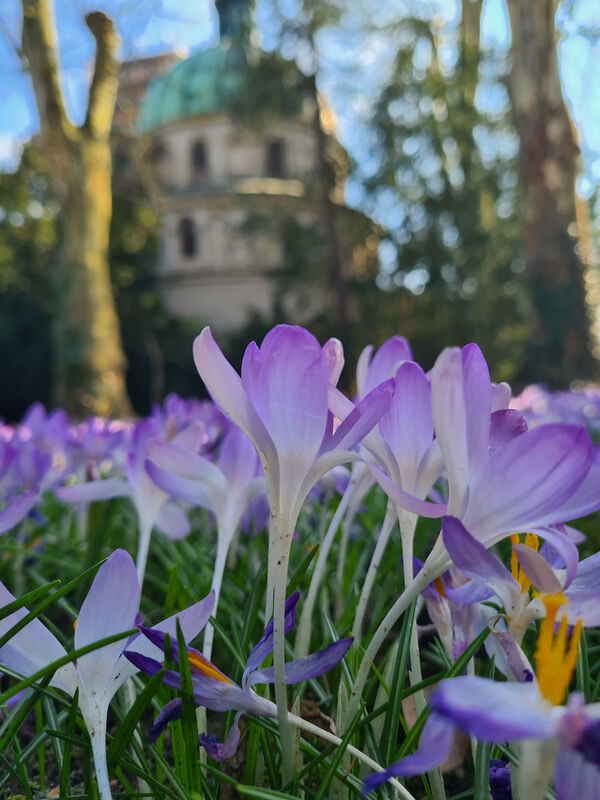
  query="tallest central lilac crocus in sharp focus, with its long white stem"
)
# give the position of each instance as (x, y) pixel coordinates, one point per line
(281, 403)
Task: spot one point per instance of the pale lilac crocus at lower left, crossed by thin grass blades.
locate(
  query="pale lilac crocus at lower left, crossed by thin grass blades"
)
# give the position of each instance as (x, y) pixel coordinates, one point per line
(111, 606)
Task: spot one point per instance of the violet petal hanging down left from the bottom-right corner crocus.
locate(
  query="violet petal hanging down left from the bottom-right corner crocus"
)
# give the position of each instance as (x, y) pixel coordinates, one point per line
(434, 747)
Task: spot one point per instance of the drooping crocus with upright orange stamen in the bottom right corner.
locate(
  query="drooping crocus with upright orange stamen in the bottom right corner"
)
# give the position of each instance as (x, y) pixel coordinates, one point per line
(528, 711)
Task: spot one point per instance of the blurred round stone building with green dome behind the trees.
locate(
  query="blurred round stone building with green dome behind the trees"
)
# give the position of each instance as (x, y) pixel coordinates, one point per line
(248, 183)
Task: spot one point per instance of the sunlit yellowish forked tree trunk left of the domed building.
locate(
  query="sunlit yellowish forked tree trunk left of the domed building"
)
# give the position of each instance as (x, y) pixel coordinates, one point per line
(90, 361)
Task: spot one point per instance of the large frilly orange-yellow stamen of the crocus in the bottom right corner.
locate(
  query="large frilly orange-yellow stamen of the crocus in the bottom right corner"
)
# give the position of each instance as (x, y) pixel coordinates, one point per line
(555, 659)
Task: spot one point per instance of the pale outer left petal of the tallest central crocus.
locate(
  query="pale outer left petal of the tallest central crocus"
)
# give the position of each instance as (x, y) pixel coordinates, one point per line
(226, 389)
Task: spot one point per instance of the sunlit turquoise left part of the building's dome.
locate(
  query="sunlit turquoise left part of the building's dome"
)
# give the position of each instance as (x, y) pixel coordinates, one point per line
(206, 82)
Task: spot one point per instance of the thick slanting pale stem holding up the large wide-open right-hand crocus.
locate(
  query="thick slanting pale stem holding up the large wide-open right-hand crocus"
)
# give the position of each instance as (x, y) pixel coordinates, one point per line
(434, 566)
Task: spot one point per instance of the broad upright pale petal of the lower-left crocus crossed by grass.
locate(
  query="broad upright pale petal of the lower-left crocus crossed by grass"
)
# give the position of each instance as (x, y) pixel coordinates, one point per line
(111, 606)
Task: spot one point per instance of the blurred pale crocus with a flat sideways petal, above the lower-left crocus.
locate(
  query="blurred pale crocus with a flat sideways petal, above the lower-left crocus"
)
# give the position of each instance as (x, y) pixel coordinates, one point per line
(151, 503)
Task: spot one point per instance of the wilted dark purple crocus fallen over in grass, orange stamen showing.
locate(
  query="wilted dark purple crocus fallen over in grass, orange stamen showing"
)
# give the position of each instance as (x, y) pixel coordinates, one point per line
(214, 690)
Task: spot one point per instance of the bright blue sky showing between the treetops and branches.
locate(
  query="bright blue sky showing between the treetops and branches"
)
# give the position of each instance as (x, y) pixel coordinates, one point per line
(154, 26)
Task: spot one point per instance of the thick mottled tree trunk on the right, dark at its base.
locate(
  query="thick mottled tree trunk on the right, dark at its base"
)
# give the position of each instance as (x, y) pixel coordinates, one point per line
(560, 348)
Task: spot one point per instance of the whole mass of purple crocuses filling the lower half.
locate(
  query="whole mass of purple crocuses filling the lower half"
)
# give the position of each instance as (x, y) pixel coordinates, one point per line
(490, 474)
